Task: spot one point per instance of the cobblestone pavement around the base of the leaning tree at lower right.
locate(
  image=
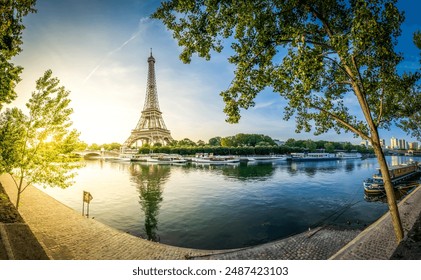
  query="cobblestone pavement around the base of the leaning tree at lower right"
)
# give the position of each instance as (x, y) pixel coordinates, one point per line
(378, 242)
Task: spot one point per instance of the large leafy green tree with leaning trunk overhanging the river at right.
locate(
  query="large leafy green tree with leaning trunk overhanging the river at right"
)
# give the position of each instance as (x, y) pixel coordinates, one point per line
(316, 55)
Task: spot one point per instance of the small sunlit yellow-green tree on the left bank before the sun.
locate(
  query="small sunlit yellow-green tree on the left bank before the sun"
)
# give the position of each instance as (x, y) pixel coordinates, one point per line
(40, 146)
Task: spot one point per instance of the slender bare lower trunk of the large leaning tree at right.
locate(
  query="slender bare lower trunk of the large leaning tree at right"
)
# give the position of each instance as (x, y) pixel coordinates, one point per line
(390, 193)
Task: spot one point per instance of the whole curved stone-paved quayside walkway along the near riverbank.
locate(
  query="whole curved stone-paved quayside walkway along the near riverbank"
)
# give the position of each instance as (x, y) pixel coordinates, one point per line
(65, 234)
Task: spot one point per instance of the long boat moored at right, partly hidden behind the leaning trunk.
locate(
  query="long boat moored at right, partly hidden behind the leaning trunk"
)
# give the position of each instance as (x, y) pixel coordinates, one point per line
(399, 175)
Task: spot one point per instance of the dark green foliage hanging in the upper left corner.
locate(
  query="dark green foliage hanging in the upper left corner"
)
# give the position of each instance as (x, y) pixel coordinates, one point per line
(11, 27)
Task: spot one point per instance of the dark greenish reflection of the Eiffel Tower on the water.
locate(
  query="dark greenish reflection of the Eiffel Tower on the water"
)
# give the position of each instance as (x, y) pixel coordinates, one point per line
(150, 180)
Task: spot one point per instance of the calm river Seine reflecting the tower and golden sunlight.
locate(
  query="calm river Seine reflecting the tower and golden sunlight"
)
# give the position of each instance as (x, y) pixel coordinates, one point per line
(220, 207)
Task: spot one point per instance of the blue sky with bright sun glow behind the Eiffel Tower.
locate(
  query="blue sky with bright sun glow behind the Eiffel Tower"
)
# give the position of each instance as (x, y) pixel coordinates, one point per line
(99, 50)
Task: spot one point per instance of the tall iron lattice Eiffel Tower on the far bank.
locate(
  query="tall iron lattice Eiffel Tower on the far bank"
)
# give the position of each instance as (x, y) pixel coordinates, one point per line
(151, 128)
